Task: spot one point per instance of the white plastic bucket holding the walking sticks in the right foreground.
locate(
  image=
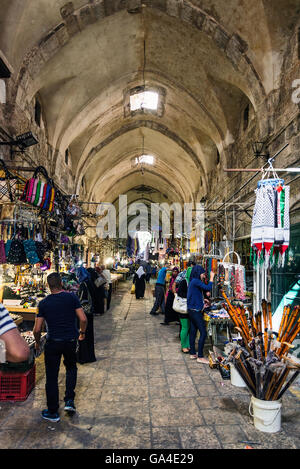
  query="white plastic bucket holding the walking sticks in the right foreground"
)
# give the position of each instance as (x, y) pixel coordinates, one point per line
(266, 414)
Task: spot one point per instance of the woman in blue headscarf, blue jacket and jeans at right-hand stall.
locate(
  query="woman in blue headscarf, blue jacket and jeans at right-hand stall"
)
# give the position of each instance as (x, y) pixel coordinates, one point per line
(195, 305)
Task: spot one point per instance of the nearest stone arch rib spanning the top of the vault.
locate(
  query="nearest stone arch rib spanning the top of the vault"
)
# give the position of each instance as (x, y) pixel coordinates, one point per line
(74, 21)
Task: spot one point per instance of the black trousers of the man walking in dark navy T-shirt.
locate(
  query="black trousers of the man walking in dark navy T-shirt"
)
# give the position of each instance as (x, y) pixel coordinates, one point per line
(53, 353)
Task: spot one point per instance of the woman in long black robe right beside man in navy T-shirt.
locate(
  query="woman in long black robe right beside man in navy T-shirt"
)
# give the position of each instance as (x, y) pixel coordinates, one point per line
(86, 351)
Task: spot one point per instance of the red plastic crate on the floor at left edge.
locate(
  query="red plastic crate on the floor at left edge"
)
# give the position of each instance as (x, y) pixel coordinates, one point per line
(16, 386)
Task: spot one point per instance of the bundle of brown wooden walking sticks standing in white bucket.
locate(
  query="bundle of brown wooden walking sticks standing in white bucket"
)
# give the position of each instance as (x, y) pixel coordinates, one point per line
(261, 357)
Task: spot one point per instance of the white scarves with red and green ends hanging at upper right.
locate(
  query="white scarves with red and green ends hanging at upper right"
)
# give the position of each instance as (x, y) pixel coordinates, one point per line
(270, 234)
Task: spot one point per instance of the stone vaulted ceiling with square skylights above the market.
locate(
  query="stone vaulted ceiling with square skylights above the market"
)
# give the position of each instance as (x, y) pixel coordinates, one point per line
(210, 58)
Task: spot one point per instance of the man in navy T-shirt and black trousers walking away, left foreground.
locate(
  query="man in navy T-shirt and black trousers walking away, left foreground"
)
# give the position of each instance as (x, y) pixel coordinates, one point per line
(61, 311)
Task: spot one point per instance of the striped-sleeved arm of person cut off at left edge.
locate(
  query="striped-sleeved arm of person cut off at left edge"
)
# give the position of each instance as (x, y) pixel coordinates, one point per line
(17, 349)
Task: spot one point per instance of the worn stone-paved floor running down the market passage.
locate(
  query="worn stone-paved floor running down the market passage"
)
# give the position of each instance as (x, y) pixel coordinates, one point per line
(144, 393)
